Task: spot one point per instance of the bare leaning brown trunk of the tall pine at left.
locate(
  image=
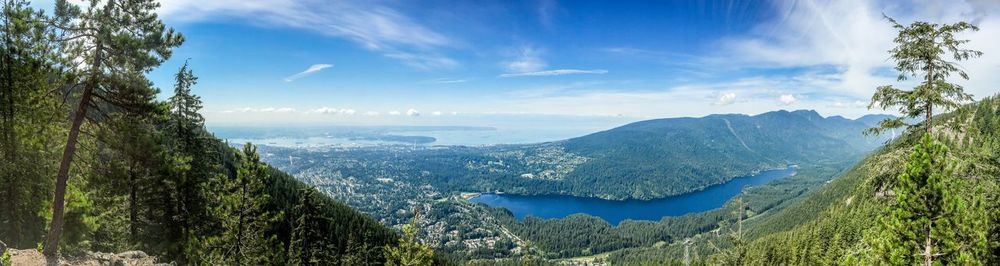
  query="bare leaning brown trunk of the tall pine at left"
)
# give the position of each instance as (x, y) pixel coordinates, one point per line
(58, 203)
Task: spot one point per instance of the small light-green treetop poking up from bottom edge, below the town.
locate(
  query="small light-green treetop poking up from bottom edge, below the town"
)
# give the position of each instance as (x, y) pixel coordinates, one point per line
(409, 252)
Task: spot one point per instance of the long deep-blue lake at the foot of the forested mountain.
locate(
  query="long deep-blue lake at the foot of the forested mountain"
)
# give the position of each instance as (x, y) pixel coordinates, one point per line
(554, 206)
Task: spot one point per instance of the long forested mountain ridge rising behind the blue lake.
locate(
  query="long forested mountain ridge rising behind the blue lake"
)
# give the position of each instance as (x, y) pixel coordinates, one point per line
(664, 157)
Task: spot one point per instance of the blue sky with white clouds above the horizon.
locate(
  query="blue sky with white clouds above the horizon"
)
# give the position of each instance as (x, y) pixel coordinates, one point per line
(277, 62)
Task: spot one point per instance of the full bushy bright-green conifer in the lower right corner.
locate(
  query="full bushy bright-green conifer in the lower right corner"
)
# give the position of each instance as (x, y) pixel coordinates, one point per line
(932, 221)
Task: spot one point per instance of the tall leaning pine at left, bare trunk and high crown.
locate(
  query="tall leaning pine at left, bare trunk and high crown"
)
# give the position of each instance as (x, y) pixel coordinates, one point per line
(112, 46)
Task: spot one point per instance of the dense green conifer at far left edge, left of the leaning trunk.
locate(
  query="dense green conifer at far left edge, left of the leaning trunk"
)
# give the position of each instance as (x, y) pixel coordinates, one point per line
(28, 115)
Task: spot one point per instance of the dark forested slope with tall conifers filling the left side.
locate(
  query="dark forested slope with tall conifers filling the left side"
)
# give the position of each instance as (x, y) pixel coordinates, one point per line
(127, 171)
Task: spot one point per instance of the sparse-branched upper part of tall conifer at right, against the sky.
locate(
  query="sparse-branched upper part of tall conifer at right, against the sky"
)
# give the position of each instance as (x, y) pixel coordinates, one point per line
(920, 49)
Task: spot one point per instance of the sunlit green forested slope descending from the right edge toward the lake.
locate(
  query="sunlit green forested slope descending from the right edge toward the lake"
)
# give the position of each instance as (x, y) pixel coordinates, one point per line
(841, 222)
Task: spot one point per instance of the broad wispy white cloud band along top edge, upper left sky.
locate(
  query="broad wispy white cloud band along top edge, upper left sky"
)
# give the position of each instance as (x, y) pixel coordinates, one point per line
(375, 27)
